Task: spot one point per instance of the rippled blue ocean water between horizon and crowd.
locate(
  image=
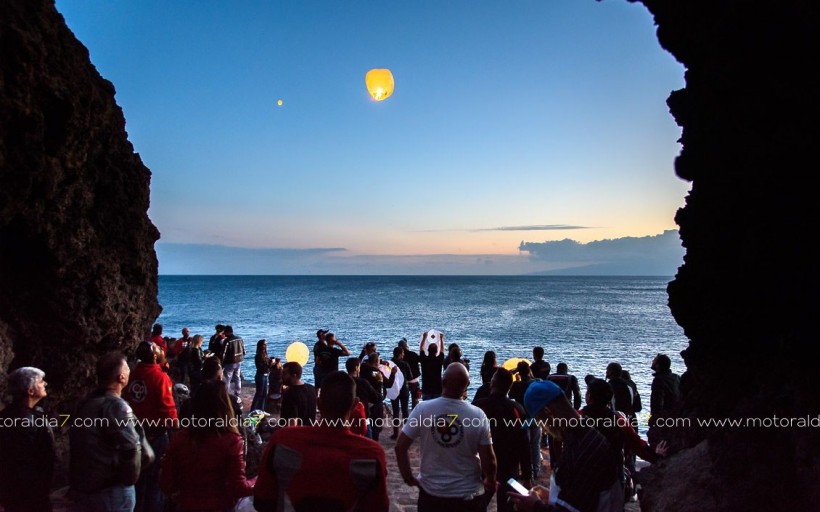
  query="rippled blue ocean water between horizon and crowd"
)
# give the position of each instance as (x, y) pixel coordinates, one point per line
(583, 321)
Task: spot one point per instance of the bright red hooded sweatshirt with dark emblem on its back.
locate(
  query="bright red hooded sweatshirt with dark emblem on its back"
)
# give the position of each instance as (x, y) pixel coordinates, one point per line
(150, 395)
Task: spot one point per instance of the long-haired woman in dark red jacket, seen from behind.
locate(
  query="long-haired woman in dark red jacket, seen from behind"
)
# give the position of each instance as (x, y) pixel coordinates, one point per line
(210, 443)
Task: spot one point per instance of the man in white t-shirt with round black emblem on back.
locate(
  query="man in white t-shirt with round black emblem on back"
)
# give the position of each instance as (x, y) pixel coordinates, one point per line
(455, 448)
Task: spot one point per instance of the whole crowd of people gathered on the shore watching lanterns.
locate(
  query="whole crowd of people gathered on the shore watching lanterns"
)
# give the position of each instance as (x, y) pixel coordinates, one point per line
(167, 430)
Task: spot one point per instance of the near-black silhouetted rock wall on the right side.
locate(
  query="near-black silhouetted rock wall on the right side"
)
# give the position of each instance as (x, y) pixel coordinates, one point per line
(745, 293)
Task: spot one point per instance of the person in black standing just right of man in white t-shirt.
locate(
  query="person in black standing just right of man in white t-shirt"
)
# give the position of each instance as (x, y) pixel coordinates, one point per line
(510, 441)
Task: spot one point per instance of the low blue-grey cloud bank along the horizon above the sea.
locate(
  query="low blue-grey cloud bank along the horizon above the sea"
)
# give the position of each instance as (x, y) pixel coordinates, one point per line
(650, 255)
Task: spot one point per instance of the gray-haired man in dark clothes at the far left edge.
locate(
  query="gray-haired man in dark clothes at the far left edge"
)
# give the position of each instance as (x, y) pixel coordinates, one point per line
(26, 444)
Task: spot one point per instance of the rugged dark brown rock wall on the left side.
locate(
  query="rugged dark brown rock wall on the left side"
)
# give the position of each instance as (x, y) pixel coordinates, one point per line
(78, 272)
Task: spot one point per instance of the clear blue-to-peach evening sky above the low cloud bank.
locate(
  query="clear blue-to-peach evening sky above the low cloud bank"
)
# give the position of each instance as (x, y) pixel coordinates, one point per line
(505, 115)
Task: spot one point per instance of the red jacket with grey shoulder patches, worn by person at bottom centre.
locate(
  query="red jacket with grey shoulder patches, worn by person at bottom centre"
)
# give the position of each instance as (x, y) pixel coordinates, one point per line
(320, 460)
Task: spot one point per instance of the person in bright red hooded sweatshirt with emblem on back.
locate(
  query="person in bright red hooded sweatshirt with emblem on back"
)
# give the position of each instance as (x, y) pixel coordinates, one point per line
(149, 393)
